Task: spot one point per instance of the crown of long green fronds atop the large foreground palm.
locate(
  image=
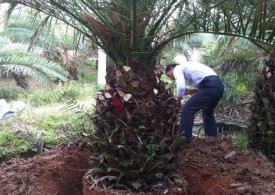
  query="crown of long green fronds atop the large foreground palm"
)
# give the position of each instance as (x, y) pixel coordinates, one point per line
(111, 24)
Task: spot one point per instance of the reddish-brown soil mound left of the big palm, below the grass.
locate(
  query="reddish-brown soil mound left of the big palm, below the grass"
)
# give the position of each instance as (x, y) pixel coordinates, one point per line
(58, 171)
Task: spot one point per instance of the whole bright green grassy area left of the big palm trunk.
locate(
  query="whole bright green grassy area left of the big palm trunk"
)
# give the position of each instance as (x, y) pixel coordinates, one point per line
(45, 124)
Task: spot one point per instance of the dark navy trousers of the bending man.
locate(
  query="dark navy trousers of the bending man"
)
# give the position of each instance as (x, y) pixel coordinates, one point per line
(210, 91)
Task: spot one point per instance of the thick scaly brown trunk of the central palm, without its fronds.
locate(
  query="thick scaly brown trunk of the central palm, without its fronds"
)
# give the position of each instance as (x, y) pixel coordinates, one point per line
(135, 123)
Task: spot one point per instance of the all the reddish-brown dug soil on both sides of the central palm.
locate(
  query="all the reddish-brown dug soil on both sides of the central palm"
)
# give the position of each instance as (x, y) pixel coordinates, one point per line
(210, 167)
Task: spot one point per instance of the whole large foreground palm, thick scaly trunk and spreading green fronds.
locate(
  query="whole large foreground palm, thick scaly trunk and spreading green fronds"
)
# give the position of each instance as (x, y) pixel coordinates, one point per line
(135, 114)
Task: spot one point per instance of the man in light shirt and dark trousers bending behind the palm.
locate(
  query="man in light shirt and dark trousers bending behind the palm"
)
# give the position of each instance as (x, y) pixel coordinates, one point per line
(209, 90)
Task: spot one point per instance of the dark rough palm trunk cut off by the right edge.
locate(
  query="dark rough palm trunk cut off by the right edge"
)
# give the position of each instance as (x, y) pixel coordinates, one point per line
(262, 129)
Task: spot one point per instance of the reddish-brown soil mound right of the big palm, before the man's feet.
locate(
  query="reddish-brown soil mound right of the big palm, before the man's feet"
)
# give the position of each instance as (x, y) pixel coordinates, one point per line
(215, 166)
